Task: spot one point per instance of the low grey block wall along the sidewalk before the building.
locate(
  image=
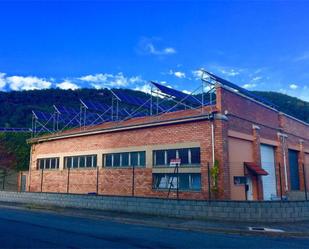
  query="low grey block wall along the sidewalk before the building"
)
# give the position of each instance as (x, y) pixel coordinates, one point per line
(264, 211)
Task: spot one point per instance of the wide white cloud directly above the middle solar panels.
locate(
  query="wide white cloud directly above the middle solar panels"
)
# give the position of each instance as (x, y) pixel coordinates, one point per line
(109, 80)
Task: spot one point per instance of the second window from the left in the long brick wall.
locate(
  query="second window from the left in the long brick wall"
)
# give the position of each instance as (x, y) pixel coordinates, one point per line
(80, 161)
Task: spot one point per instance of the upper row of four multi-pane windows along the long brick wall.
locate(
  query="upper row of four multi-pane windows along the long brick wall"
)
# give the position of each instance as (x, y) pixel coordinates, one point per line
(187, 156)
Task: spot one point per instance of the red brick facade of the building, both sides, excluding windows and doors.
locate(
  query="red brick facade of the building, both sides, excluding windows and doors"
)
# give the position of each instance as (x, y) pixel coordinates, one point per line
(233, 113)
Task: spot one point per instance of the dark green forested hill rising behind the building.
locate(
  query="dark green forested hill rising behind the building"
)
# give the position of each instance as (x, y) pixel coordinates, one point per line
(16, 107)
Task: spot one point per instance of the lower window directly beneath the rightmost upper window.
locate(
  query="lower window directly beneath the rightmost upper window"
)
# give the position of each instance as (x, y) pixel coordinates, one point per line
(187, 181)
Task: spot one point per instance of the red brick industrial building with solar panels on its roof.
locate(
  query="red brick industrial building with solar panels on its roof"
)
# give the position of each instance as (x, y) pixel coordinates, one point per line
(237, 146)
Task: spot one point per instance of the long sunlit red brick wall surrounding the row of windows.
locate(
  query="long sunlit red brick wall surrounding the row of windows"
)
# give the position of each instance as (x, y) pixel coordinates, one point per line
(119, 181)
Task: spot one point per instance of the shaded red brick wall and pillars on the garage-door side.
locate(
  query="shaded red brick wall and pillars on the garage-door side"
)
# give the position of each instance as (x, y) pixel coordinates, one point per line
(244, 113)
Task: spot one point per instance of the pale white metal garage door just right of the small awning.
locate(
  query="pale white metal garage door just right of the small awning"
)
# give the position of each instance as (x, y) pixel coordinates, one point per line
(268, 164)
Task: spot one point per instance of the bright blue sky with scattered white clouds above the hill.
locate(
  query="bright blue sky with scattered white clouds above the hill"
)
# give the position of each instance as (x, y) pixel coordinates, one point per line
(261, 45)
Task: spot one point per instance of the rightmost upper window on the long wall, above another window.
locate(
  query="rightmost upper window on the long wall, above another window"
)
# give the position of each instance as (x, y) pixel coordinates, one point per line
(188, 156)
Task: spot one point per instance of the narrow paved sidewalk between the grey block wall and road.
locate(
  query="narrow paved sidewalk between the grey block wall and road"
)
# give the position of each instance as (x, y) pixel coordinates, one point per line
(296, 229)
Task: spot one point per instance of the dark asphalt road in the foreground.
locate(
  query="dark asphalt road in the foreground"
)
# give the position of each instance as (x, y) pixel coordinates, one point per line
(36, 229)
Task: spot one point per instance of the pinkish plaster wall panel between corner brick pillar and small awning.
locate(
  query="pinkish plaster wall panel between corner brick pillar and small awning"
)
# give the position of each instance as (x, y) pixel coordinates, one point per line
(240, 151)
